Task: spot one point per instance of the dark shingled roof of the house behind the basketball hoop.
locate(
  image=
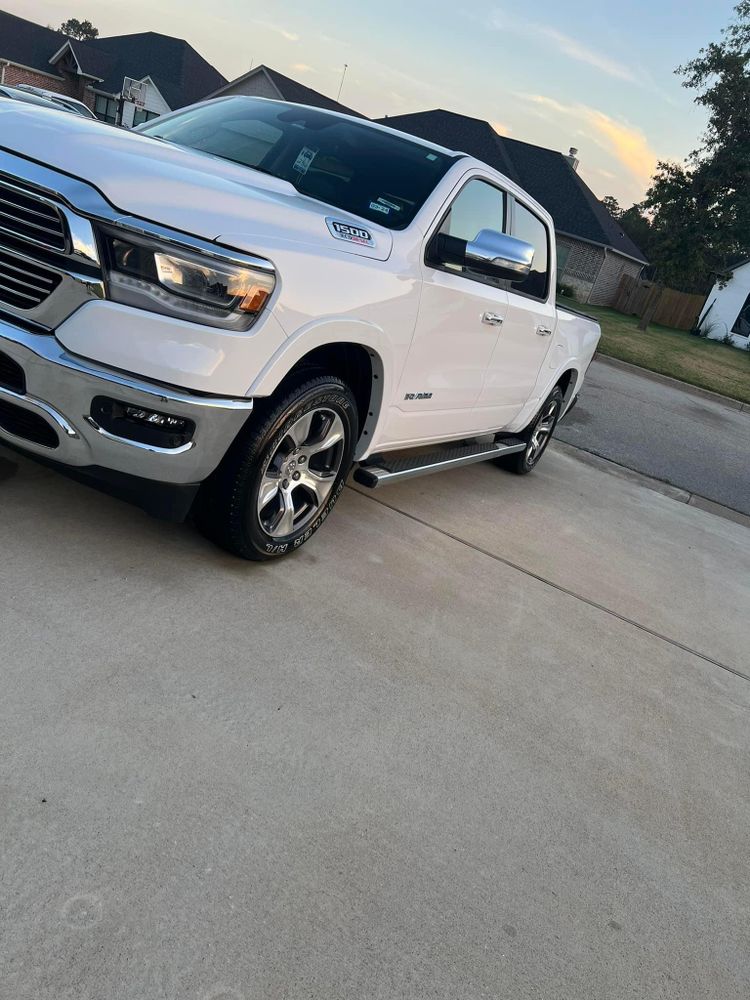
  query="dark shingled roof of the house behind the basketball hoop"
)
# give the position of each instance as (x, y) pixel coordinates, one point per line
(181, 74)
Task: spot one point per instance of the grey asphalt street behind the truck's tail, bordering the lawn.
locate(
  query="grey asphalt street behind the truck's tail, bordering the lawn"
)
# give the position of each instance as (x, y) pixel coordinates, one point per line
(697, 444)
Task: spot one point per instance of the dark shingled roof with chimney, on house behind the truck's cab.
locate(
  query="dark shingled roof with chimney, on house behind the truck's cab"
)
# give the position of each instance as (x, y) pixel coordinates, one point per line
(545, 173)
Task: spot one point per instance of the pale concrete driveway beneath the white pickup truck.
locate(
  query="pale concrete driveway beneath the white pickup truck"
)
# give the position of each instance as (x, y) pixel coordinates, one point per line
(484, 737)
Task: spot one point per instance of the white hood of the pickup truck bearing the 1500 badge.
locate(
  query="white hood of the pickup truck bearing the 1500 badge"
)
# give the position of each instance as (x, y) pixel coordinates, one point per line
(182, 188)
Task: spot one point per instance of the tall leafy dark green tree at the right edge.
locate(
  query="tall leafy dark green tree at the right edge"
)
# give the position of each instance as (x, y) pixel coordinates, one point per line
(700, 210)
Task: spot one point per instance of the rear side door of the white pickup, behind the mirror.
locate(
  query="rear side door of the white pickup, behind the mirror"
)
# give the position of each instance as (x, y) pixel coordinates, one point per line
(528, 328)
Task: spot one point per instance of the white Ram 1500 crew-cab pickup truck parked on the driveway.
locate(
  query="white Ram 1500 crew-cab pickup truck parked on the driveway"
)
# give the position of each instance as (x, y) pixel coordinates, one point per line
(225, 311)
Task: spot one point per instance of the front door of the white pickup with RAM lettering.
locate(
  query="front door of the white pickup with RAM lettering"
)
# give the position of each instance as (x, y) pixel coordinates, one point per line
(460, 317)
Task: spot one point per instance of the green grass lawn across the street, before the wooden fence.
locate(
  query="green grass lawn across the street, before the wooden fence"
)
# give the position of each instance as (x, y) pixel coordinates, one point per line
(705, 363)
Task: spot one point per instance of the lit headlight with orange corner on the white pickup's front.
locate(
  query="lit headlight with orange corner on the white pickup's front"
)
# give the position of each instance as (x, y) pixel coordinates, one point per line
(176, 282)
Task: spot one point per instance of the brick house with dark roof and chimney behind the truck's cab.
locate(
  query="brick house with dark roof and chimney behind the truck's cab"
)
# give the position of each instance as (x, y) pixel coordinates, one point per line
(593, 252)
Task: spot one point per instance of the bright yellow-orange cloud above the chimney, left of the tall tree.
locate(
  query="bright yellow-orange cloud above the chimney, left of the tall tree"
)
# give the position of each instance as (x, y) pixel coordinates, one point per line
(625, 143)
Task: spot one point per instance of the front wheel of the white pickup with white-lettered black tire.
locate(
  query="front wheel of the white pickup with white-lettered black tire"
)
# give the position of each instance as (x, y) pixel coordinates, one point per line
(231, 511)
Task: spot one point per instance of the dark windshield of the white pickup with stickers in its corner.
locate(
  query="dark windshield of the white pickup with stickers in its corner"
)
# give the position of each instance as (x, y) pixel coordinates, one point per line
(352, 166)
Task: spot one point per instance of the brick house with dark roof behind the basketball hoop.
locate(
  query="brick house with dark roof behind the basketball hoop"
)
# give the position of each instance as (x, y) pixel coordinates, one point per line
(93, 72)
